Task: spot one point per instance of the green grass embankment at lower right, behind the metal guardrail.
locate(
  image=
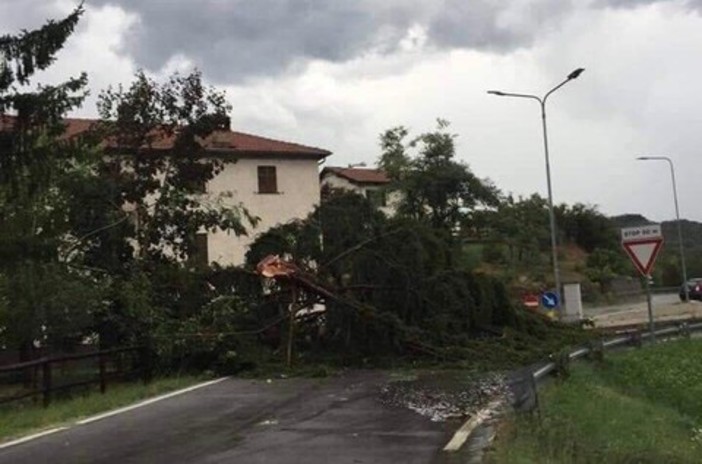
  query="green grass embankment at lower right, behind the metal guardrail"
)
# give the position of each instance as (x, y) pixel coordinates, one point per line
(642, 406)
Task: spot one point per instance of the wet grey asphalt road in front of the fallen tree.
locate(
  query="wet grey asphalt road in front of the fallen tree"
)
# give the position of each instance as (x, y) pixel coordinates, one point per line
(337, 420)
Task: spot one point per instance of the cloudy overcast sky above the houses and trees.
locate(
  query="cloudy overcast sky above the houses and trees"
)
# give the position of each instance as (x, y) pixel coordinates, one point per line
(337, 73)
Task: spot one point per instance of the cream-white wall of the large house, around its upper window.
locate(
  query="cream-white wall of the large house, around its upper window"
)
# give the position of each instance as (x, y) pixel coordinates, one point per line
(298, 193)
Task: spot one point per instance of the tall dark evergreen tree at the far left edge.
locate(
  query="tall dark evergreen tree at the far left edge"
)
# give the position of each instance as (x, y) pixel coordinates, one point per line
(38, 166)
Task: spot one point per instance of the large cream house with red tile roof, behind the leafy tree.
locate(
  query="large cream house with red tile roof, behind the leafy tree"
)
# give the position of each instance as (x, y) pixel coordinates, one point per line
(276, 181)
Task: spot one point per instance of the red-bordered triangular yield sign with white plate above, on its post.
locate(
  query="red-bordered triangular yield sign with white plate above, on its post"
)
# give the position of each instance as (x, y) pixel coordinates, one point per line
(643, 244)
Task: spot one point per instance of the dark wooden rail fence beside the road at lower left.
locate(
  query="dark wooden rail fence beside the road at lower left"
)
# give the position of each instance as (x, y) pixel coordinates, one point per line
(41, 373)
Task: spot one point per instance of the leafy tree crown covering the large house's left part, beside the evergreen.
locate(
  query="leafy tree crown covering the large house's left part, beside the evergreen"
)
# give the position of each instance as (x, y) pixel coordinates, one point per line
(161, 187)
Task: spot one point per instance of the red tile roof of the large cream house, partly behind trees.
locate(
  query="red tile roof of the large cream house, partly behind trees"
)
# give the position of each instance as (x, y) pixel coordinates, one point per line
(220, 142)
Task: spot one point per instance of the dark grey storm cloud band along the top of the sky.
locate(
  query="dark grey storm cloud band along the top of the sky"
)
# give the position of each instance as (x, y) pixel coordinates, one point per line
(234, 39)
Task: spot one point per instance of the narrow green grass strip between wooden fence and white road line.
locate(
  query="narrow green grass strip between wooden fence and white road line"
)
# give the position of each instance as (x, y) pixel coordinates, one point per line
(18, 419)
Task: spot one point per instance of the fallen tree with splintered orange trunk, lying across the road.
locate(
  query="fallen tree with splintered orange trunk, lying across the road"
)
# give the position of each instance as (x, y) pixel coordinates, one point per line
(389, 288)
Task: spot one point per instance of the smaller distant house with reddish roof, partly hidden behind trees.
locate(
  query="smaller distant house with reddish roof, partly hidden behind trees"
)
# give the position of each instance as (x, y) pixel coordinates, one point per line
(371, 183)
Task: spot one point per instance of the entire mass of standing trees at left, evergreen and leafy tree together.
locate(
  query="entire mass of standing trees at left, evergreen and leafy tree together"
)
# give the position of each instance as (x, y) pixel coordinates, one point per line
(95, 235)
